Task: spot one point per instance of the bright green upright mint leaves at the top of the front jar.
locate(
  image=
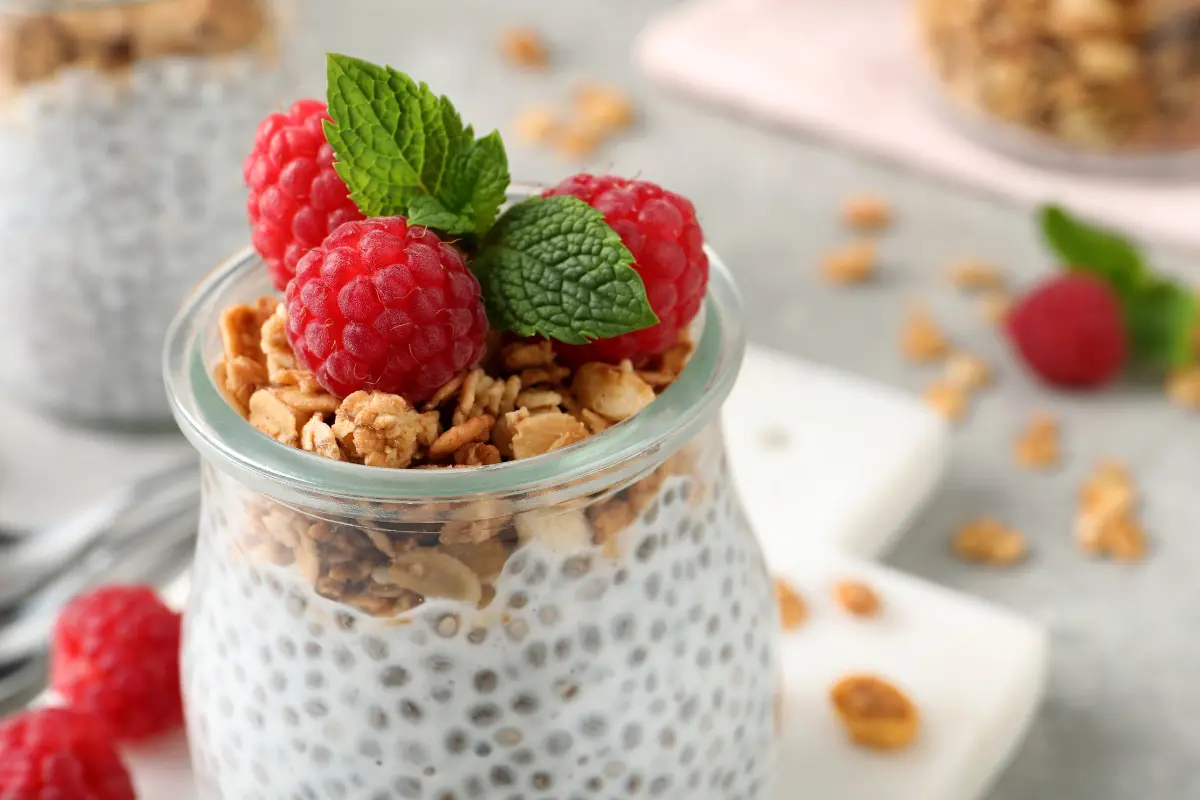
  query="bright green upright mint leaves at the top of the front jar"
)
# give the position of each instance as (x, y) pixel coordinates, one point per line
(395, 142)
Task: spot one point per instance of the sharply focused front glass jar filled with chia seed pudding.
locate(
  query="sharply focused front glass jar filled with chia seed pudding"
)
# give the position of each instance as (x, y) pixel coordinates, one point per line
(597, 622)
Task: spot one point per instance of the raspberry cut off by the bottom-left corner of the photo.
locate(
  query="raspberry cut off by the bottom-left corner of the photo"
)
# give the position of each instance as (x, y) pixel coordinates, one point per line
(53, 754)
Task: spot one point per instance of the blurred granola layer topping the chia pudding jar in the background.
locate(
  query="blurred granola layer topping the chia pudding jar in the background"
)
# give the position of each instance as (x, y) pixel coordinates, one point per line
(110, 38)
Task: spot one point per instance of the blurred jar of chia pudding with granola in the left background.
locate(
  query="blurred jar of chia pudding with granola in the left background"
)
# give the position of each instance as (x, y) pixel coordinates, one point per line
(123, 130)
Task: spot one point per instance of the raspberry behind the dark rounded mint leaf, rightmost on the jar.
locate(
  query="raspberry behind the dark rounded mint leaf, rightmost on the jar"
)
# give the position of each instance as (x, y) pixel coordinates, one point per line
(662, 232)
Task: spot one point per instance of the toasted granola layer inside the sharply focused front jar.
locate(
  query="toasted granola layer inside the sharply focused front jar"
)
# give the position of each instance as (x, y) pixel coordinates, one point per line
(520, 405)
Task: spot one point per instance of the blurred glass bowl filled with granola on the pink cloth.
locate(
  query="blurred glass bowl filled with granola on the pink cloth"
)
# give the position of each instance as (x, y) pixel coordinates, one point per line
(1102, 85)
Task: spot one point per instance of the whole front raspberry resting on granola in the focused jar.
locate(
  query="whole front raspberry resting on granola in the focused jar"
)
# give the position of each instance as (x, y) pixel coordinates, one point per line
(386, 306)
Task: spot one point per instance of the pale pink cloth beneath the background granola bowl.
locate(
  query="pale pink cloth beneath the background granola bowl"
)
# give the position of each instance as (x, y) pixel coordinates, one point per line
(851, 73)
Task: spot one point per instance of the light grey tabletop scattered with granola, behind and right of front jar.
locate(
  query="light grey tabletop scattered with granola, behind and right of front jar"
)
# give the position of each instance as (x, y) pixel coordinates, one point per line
(1123, 715)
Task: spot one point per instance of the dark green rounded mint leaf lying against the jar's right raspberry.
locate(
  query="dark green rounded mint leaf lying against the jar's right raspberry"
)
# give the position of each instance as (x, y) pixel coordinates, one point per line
(553, 267)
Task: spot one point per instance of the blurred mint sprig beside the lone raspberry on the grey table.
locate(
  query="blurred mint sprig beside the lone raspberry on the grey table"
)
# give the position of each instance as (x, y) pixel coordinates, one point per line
(1161, 315)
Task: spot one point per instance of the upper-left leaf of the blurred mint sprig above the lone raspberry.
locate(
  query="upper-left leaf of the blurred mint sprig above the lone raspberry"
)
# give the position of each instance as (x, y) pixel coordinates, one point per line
(1097, 252)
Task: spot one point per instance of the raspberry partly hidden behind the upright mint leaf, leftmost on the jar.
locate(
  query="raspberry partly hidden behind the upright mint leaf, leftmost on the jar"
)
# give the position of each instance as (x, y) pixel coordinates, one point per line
(296, 197)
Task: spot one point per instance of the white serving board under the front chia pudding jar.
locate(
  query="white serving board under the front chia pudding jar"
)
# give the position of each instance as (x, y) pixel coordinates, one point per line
(857, 462)
